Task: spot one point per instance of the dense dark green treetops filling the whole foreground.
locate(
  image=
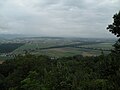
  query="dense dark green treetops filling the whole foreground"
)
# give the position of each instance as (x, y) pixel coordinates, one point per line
(31, 72)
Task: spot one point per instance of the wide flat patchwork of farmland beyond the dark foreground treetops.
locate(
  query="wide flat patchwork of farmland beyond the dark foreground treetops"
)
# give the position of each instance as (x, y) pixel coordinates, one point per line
(56, 47)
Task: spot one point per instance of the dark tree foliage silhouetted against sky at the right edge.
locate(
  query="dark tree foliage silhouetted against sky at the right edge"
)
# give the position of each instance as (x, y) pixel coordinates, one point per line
(115, 29)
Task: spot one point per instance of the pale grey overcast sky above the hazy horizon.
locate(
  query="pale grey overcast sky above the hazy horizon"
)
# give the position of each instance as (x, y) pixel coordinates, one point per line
(58, 18)
